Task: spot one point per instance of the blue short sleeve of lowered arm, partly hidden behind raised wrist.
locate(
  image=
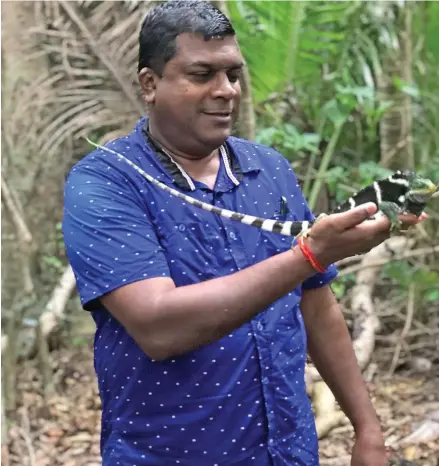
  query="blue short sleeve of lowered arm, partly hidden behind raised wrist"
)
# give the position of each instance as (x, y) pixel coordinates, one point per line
(319, 279)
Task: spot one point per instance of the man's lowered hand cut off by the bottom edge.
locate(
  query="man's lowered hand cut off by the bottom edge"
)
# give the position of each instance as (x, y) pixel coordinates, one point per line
(369, 450)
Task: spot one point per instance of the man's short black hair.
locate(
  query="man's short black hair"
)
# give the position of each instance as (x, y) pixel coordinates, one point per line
(167, 20)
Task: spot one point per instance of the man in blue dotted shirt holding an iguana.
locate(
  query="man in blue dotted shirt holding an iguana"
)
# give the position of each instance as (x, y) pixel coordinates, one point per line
(200, 343)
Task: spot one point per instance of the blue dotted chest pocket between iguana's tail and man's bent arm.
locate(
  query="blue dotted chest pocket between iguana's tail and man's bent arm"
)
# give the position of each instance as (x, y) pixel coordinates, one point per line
(191, 247)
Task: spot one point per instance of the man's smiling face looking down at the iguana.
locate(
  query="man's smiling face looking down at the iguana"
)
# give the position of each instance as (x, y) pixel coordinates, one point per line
(197, 98)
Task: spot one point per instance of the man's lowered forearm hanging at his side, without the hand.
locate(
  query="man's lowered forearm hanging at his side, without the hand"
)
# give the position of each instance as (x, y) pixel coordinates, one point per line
(331, 350)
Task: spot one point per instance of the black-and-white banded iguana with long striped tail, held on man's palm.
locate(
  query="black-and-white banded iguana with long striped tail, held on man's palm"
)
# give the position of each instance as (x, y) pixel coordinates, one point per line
(401, 192)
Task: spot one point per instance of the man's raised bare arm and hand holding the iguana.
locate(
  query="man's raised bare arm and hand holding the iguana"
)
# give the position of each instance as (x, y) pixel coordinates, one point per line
(166, 320)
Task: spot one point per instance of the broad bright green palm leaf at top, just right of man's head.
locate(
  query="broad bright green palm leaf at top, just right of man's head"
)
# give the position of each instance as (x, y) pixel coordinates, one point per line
(287, 41)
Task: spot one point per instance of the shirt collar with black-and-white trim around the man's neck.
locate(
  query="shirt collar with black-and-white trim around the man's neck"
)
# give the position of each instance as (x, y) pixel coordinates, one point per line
(234, 163)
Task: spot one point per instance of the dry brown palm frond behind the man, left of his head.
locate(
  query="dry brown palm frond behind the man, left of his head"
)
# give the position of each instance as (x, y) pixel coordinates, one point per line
(91, 80)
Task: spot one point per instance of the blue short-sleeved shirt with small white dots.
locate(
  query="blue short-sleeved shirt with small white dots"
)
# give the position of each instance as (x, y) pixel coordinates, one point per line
(238, 401)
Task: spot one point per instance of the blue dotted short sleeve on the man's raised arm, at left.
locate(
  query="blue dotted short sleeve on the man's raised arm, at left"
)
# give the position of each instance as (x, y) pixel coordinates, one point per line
(109, 237)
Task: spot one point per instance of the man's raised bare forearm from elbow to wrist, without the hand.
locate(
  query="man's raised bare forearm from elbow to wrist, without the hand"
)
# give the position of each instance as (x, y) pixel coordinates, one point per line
(184, 318)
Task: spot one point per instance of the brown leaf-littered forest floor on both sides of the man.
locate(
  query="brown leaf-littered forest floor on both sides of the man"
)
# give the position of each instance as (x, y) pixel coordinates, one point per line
(62, 428)
